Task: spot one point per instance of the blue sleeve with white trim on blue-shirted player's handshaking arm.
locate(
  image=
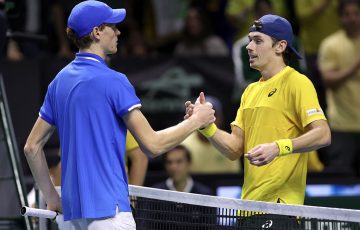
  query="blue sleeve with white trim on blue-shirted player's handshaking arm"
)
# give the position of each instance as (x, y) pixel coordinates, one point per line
(122, 95)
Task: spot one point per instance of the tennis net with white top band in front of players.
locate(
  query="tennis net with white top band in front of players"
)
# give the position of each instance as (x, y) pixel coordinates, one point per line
(160, 209)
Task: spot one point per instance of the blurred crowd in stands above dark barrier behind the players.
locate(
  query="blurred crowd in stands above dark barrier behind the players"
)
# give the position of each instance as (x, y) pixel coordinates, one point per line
(180, 27)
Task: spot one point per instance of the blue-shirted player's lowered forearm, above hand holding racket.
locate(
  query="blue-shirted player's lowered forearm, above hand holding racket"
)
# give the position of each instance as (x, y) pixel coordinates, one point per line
(37, 163)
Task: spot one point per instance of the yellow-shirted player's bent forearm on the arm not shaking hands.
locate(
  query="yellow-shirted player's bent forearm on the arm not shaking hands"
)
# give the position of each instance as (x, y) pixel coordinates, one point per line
(317, 137)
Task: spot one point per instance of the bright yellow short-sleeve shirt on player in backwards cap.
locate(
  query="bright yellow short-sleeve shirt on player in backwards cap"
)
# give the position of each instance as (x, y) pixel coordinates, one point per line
(280, 107)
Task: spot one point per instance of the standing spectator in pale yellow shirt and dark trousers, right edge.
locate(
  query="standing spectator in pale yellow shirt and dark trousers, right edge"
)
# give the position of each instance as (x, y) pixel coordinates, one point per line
(339, 62)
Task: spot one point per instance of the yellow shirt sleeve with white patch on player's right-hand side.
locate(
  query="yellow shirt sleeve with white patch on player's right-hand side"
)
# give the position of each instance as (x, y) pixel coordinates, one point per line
(307, 105)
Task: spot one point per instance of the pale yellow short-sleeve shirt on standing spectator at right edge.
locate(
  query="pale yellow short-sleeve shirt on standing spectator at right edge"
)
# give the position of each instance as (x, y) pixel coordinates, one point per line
(343, 102)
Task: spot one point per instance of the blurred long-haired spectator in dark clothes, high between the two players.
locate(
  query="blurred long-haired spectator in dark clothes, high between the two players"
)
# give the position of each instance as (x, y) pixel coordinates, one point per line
(197, 39)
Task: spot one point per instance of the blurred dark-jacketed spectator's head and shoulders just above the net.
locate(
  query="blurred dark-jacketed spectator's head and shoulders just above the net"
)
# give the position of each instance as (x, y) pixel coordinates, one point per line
(177, 165)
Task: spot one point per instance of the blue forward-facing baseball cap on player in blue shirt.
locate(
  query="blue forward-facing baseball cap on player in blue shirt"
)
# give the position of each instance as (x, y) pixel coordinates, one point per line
(89, 14)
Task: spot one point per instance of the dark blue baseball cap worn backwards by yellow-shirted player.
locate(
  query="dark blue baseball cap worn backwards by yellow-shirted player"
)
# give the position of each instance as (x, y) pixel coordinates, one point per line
(276, 27)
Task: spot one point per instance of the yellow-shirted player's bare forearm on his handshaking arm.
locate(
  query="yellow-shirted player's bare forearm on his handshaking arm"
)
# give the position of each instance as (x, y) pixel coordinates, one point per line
(228, 144)
